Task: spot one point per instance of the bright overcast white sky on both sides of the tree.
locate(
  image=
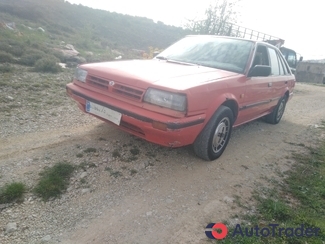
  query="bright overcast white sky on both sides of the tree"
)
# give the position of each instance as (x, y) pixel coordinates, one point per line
(299, 23)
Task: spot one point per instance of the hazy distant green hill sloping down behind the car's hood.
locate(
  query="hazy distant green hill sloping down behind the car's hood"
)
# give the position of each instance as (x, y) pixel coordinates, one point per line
(82, 24)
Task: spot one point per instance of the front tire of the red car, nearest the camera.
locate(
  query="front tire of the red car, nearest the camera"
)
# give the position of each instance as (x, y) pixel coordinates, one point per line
(213, 139)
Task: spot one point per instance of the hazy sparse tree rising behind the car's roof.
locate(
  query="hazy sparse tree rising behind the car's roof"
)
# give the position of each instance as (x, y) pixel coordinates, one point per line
(218, 19)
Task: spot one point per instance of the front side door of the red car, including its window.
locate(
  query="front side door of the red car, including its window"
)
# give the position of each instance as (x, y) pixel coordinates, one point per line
(258, 90)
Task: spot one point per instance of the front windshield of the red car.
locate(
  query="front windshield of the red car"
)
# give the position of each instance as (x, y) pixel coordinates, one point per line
(215, 52)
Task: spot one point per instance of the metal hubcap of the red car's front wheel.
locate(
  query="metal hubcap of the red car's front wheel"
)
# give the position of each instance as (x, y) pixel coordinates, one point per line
(220, 135)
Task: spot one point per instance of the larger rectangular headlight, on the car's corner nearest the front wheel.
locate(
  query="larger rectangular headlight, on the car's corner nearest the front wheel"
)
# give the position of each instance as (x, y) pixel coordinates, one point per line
(166, 99)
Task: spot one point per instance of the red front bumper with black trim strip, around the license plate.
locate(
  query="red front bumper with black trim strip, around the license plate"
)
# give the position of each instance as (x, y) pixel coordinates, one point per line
(149, 125)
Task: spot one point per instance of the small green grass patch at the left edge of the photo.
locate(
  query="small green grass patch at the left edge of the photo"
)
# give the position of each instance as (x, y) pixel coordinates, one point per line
(12, 192)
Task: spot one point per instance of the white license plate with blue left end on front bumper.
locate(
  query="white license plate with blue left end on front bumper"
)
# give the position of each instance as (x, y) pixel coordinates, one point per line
(103, 112)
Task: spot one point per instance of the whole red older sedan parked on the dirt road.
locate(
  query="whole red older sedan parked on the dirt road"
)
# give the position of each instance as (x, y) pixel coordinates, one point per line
(194, 92)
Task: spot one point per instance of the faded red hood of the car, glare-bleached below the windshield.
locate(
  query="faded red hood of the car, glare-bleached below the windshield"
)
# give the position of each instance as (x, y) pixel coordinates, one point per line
(160, 73)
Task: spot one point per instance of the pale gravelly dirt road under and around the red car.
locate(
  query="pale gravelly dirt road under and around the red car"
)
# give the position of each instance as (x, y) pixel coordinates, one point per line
(157, 195)
